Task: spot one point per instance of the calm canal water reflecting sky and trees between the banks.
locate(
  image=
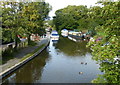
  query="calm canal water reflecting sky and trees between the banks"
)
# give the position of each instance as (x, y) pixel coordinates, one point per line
(64, 61)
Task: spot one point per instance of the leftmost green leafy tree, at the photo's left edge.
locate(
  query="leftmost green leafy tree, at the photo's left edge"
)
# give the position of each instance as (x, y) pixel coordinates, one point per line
(10, 21)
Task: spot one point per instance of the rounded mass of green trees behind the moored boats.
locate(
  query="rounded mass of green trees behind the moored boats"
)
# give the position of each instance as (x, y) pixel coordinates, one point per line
(77, 17)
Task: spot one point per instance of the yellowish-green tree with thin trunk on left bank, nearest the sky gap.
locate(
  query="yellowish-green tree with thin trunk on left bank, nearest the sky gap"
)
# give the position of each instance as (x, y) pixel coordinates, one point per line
(34, 14)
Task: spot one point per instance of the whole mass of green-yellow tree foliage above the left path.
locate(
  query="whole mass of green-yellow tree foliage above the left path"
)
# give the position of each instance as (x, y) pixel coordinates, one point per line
(22, 18)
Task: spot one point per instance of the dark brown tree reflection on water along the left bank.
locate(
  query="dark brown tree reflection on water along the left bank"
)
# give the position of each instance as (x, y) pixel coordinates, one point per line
(29, 72)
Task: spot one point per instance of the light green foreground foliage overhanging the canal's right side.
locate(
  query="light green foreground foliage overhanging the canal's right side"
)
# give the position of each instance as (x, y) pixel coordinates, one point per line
(106, 50)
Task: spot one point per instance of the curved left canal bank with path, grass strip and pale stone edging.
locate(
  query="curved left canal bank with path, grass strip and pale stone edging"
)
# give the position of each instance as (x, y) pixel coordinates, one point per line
(23, 57)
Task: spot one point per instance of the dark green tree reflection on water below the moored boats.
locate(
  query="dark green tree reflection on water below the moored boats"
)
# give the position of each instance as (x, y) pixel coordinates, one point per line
(71, 48)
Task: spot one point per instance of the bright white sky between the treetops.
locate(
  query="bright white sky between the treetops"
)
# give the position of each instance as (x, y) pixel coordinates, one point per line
(58, 4)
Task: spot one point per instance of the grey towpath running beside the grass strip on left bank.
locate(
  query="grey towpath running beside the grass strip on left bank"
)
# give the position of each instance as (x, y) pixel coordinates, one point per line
(21, 54)
